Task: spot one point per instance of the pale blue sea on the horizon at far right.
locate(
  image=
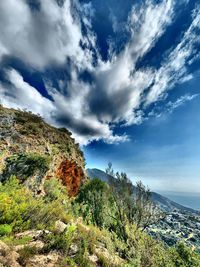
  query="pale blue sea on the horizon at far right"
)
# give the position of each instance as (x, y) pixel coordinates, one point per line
(190, 200)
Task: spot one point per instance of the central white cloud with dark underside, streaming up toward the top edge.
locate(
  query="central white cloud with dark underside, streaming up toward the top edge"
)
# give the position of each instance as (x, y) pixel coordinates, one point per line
(117, 81)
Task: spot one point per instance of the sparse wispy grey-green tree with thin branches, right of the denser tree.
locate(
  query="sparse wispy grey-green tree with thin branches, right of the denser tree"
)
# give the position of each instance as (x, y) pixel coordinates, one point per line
(133, 203)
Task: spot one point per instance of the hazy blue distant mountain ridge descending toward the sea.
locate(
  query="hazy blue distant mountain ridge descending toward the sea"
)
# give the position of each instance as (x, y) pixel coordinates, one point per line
(163, 202)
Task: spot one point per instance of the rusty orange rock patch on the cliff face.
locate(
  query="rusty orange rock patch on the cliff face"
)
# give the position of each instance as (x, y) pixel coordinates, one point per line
(71, 175)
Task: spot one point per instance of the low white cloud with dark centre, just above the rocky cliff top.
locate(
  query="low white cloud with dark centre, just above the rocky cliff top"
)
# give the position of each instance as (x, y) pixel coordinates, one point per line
(59, 112)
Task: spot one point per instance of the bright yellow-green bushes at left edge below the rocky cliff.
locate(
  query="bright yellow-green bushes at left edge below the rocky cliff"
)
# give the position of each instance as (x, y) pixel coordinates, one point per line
(23, 211)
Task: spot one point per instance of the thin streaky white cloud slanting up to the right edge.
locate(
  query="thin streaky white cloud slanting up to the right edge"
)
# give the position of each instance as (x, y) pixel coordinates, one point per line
(174, 69)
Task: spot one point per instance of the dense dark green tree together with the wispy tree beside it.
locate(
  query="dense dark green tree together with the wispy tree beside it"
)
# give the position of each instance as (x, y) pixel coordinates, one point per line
(117, 205)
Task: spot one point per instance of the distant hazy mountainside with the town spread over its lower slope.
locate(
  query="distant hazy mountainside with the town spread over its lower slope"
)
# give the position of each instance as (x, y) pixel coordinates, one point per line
(179, 223)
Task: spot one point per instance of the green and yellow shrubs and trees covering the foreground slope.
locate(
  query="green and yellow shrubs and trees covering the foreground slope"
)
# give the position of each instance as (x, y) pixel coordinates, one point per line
(116, 241)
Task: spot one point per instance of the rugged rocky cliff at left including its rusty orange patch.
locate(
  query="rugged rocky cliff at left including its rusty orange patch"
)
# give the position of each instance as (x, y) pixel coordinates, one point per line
(36, 151)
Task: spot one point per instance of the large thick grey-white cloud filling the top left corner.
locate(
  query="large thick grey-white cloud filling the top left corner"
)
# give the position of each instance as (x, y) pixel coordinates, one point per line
(41, 37)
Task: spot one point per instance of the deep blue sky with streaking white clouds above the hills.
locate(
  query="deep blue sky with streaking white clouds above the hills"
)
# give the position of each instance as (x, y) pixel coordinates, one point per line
(123, 76)
